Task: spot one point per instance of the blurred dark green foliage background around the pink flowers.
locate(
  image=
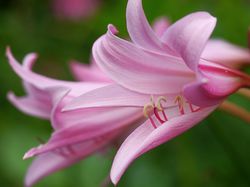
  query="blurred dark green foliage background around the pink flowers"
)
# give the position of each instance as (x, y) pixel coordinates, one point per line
(214, 153)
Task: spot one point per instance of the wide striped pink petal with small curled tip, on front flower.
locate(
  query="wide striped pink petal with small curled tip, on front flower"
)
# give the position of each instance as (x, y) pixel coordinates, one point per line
(137, 69)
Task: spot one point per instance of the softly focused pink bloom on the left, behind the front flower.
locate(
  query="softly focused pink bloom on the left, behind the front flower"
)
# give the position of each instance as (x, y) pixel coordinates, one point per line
(77, 133)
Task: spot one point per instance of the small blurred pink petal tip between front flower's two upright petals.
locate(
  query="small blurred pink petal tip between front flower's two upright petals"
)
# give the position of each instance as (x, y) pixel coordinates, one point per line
(160, 25)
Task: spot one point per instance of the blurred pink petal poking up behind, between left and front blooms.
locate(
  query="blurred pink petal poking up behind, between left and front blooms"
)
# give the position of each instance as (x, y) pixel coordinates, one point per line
(84, 72)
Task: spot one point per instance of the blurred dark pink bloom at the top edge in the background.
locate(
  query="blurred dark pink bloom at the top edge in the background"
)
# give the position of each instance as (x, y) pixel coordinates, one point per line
(75, 9)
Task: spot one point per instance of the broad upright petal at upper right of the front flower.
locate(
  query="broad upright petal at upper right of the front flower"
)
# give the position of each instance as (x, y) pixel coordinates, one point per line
(188, 36)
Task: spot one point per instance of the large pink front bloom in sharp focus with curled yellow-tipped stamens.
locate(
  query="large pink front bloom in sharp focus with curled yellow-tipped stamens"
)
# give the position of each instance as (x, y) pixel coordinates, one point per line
(165, 75)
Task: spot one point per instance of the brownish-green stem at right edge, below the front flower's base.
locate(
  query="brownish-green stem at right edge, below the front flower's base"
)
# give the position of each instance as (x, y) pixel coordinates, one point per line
(235, 110)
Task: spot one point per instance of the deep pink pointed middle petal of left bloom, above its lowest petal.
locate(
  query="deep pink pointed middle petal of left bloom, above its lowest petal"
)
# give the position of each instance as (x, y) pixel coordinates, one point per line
(82, 125)
